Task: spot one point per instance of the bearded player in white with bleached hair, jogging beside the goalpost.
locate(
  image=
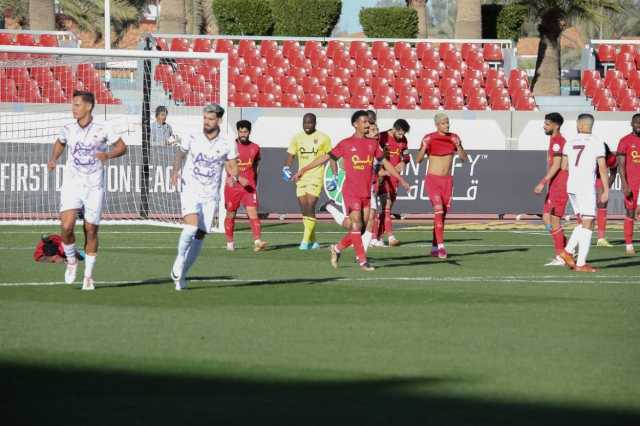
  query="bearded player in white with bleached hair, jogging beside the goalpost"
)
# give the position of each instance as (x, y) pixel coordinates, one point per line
(206, 155)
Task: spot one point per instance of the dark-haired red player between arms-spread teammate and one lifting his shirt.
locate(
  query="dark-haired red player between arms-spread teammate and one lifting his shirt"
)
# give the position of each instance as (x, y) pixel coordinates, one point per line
(395, 146)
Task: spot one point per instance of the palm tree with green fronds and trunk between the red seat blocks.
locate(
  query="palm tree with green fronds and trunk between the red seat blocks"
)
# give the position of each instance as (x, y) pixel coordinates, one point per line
(553, 17)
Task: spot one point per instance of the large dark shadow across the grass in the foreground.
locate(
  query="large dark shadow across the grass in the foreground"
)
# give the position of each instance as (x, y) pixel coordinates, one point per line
(54, 396)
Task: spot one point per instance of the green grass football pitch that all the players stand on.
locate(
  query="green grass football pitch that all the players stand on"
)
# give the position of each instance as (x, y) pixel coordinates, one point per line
(489, 336)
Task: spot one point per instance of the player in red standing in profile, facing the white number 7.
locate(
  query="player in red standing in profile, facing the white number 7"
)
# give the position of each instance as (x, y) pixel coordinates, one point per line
(557, 198)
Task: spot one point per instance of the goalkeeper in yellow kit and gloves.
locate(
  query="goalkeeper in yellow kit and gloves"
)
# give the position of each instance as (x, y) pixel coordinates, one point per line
(307, 146)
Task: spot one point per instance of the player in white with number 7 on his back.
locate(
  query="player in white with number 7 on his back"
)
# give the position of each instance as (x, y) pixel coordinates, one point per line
(582, 155)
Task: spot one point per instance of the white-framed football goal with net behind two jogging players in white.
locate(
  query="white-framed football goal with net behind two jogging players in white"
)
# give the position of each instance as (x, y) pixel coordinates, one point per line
(36, 87)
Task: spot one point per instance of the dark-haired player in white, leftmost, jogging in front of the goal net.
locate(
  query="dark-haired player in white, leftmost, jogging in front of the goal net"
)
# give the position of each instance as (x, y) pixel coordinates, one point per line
(87, 144)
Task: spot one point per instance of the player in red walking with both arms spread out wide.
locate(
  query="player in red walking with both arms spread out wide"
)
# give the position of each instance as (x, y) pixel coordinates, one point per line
(358, 153)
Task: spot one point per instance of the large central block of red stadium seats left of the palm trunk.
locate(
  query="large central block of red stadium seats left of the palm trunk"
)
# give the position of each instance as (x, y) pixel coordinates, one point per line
(361, 75)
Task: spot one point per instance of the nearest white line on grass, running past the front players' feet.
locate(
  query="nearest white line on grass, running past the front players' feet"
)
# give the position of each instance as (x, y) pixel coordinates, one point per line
(549, 279)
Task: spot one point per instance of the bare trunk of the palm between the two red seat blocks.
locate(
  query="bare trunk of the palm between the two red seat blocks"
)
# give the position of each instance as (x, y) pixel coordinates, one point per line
(546, 80)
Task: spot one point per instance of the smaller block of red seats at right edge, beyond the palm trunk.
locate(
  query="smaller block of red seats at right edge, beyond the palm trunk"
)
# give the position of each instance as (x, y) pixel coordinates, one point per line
(619, 90)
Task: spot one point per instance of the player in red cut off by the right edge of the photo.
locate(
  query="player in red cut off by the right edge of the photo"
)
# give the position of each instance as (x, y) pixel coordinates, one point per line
(628, 153)
